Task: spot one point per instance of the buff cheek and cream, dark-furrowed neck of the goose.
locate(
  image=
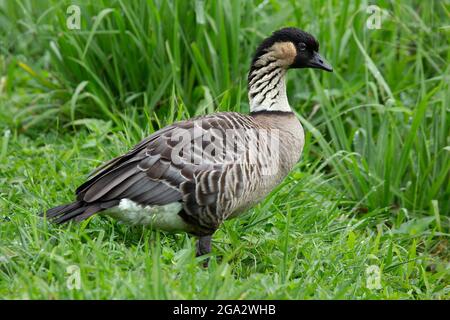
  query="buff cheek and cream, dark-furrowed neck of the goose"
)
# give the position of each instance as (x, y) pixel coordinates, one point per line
(267, 78)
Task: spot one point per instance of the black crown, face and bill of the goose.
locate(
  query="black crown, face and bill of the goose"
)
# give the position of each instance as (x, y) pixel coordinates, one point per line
(306, 46)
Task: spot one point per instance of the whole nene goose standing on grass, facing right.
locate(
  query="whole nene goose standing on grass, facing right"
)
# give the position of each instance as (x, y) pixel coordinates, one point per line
(192, 175)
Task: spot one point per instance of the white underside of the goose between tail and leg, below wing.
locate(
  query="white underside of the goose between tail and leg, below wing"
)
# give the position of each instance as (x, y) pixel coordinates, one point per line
(163, 217)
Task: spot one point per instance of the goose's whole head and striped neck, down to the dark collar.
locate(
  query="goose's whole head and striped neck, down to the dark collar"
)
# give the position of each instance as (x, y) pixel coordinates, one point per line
(287, 48)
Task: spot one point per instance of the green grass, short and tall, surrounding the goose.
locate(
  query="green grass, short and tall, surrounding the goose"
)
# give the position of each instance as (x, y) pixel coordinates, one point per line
(364, 215)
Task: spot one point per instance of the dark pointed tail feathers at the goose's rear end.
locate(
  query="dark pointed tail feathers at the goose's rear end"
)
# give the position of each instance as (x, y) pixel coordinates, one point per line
(78, 211)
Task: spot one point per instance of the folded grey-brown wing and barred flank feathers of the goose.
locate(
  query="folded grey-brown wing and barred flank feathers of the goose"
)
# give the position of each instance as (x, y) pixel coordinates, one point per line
(176, 164)
